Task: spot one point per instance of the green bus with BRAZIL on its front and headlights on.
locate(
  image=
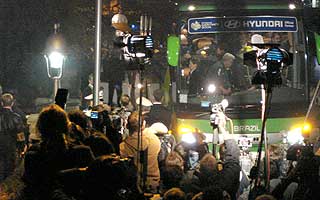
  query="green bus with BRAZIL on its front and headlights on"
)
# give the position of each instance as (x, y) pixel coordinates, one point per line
(213, 32)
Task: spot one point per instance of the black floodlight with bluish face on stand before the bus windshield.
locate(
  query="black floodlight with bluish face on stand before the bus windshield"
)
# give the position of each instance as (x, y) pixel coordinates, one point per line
(270, 60)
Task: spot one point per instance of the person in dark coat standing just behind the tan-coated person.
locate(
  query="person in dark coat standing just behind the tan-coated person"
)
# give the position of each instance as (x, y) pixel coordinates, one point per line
(158, 112)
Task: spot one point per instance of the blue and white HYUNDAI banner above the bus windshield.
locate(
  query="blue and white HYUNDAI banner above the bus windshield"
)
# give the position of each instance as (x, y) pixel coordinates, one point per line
(242, 24)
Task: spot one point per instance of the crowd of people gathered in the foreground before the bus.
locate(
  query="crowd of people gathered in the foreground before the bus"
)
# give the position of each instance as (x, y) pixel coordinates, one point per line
(83, 158)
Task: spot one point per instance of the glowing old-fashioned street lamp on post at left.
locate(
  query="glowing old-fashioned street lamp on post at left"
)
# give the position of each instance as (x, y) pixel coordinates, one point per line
(55, 58)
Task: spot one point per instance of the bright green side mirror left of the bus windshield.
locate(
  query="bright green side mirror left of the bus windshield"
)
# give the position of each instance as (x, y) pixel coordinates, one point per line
(173, 45)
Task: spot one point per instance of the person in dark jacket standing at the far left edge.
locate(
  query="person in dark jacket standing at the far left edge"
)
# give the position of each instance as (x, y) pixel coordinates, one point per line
(11, 125)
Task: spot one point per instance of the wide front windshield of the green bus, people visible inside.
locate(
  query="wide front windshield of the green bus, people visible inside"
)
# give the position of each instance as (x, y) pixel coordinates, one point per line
(214, 66)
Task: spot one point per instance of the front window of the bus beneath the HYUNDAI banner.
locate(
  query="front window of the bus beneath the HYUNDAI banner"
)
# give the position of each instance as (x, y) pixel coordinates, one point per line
(221, 63)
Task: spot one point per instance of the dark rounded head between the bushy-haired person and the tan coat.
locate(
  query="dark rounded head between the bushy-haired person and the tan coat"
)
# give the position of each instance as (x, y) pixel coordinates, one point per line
(100, 144)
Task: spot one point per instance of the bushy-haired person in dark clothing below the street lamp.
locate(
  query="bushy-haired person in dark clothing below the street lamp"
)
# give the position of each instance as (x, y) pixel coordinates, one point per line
(54, 153)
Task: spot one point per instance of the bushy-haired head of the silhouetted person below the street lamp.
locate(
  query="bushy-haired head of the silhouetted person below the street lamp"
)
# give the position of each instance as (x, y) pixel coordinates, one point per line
(52, 121)
